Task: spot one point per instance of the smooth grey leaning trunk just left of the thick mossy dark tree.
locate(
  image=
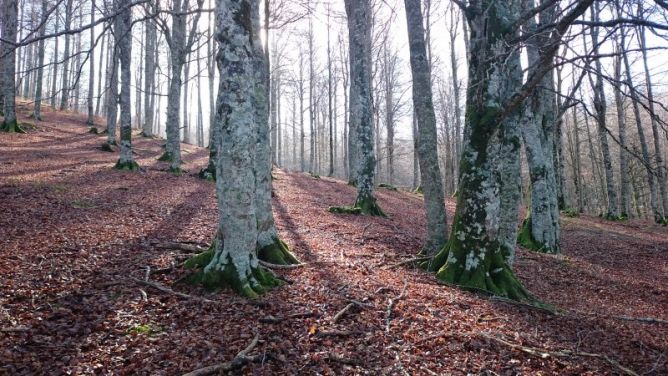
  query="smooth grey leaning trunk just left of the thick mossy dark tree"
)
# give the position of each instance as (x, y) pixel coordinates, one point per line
(437, 232)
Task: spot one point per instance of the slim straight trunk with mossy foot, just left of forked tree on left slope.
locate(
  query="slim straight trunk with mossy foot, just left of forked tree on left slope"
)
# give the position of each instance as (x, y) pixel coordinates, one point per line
(123, 26)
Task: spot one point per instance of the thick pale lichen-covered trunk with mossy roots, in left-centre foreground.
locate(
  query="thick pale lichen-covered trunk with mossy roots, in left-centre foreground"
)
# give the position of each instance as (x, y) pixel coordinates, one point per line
(234, 261)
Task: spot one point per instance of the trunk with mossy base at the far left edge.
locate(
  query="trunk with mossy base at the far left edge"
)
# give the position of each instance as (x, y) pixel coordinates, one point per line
(9, 26)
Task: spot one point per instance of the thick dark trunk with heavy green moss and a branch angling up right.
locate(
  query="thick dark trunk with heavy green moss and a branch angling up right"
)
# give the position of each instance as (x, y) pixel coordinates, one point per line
(474, 256)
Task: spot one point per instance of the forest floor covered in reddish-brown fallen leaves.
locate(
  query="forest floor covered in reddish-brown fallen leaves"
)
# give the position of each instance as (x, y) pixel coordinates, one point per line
(77, 236)
